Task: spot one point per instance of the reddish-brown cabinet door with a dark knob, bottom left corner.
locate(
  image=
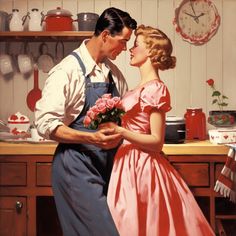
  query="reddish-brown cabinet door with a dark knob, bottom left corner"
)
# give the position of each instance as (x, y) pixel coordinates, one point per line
(13, 216)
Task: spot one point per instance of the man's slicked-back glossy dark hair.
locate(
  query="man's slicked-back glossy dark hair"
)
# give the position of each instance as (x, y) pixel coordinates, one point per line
(114, 20)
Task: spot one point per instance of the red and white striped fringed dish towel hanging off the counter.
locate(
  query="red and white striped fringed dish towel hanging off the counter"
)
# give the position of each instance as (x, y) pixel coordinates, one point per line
(226, 182)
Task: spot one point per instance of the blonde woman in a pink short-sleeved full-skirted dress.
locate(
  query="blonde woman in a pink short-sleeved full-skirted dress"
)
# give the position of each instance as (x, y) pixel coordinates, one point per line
(146, 194)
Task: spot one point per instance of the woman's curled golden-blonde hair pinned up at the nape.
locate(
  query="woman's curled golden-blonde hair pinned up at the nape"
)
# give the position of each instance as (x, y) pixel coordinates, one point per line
(160, 47)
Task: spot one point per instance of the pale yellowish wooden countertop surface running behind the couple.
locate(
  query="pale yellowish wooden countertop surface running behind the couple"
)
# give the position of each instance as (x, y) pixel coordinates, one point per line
(187, 148)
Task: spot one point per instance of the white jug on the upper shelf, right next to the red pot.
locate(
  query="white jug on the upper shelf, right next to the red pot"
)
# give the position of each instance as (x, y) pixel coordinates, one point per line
(35, 20)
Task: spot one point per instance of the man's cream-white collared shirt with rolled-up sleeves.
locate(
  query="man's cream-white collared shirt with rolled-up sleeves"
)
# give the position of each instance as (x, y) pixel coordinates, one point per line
(63, 95)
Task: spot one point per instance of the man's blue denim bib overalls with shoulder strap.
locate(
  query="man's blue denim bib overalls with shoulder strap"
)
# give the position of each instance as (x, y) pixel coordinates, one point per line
(81, 173)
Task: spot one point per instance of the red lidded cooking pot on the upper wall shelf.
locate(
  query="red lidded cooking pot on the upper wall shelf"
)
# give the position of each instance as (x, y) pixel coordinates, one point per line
(58, 20)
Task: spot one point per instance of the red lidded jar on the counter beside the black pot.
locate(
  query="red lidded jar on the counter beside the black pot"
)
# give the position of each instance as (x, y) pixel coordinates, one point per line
(195, 124)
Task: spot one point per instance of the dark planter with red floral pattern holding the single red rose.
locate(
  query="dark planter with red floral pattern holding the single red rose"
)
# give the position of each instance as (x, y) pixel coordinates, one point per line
(219, 118)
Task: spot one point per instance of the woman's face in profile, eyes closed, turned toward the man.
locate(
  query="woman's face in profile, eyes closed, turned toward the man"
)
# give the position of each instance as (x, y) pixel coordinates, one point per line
(139, 53)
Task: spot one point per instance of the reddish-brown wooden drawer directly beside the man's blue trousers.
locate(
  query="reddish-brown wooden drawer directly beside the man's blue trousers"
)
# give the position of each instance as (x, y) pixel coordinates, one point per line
(43, 174)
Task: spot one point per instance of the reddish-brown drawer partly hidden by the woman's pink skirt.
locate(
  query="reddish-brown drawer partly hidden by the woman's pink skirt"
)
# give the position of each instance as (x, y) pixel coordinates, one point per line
(196, 174)
